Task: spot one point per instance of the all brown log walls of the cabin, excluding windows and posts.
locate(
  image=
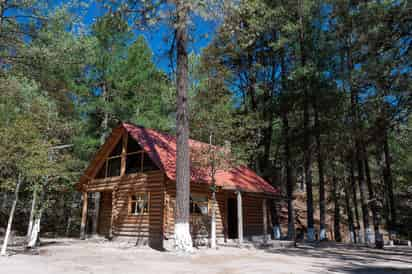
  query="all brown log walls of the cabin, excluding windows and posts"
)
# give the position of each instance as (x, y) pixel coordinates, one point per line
(159, 222)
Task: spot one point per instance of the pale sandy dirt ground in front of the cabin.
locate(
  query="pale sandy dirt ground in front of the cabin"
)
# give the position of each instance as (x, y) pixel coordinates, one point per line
(96, 256)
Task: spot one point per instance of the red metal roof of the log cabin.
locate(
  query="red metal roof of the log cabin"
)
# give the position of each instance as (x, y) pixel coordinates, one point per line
(161, 148)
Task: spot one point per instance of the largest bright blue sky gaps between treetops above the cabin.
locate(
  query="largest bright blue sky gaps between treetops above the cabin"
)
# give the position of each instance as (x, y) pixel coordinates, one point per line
(157, 37)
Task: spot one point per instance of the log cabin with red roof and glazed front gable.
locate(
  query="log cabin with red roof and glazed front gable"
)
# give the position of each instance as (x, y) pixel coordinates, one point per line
(129, 190)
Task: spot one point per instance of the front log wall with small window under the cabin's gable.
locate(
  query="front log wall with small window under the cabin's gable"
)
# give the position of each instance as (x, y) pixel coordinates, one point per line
(146, 227)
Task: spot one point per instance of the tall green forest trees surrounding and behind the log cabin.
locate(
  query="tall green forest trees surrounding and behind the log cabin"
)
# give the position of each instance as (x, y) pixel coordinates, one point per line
(313, 95)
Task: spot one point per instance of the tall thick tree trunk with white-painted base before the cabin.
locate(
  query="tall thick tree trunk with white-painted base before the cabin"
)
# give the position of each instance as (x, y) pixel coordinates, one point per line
(183, 239)
